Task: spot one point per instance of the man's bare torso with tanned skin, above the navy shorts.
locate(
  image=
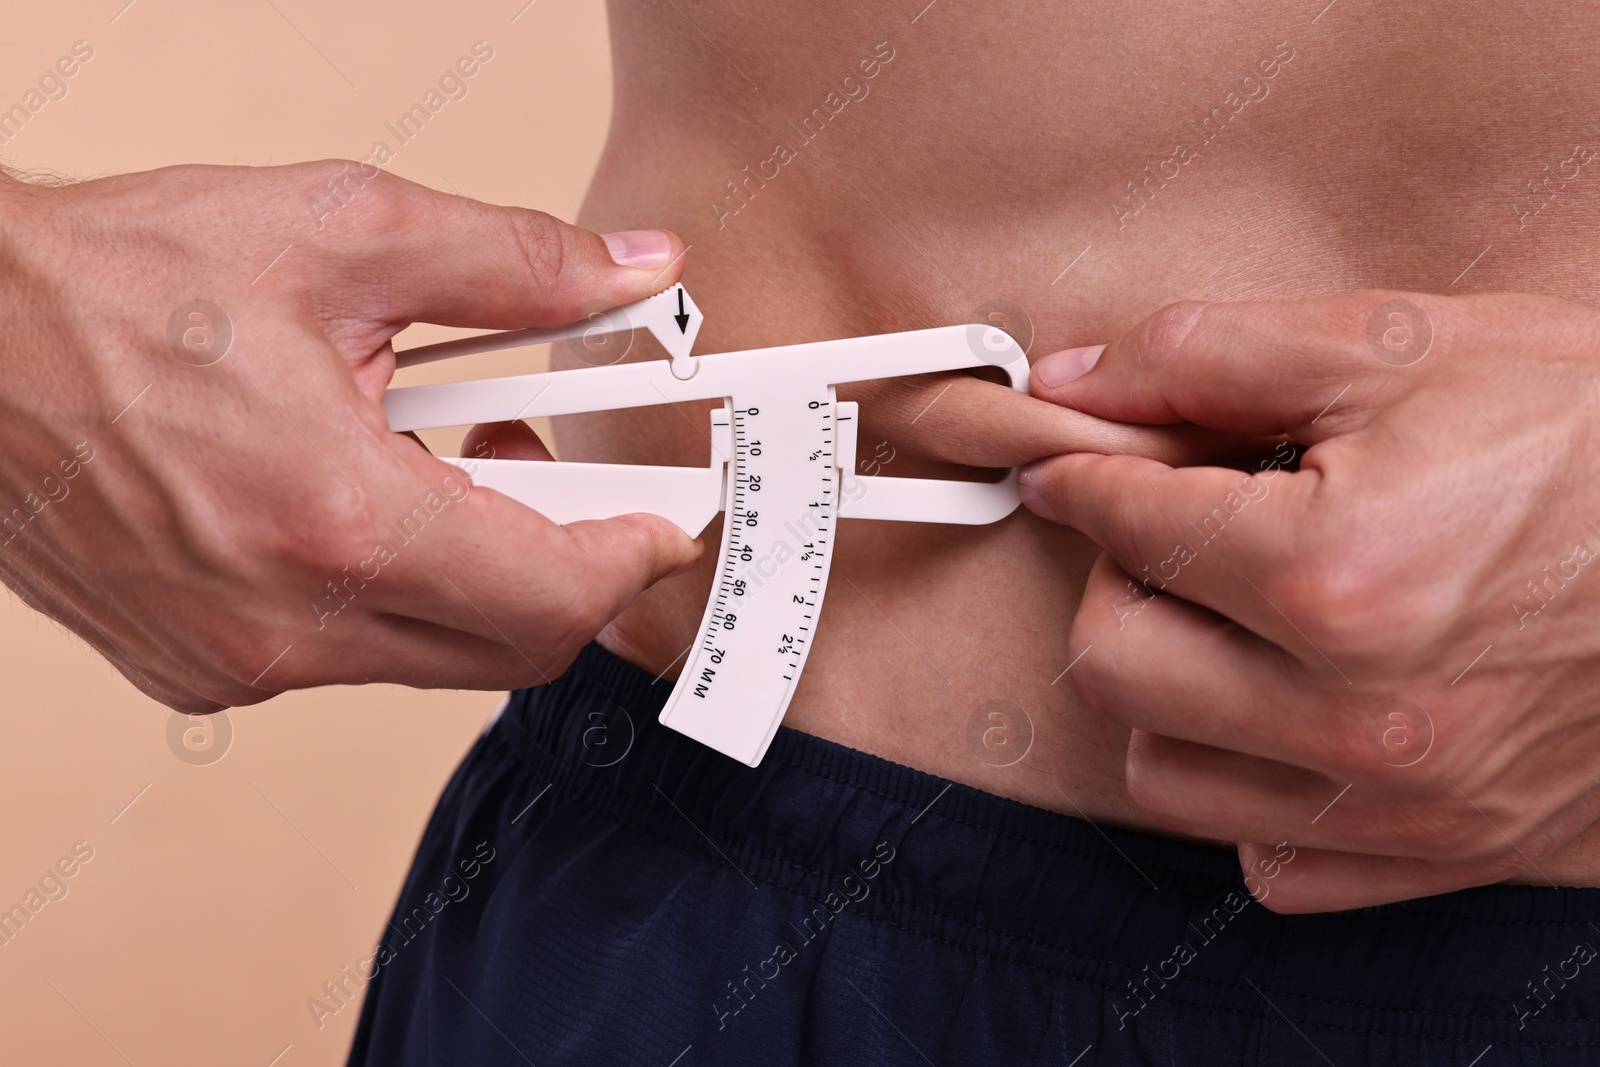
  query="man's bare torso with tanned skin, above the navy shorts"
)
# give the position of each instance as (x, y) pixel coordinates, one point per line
(847, 169)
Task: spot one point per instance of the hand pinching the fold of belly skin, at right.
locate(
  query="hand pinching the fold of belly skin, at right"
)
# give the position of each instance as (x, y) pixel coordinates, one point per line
(1386, 655)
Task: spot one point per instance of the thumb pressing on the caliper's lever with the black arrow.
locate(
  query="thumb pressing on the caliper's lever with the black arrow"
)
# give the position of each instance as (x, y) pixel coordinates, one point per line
(455, 262)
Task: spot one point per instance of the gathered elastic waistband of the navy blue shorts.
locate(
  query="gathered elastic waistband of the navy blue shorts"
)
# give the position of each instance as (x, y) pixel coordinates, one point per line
(1009, 881)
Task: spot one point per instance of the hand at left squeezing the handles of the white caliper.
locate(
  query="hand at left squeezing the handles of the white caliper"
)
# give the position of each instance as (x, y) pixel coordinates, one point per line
(210, 495)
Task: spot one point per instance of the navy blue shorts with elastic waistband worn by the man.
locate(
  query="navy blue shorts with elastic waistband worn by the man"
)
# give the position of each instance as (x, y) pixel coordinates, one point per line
(599, 890)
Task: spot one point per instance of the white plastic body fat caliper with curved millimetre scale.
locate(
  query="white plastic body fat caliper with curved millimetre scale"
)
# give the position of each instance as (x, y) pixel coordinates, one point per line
(783, 455)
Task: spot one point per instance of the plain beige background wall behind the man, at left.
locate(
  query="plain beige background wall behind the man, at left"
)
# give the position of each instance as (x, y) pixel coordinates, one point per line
(223, 897)
